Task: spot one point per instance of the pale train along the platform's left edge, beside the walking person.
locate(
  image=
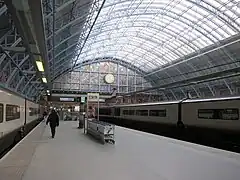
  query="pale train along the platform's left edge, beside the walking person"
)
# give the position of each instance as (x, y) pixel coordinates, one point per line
(17, 117)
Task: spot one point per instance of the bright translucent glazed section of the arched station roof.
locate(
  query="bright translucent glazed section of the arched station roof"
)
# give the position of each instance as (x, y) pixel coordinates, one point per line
(151, 33)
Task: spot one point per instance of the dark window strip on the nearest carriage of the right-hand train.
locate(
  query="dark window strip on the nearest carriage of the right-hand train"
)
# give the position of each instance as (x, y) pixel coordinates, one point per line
(223, 114)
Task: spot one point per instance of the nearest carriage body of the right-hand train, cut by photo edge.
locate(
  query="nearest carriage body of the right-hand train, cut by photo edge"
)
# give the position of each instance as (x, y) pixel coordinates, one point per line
(216, 113)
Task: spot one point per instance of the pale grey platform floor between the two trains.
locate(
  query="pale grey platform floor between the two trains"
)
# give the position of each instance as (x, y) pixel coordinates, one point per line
(135, 156)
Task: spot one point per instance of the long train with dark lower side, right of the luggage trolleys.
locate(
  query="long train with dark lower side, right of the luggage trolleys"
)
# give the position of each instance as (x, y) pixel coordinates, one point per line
(207, 120)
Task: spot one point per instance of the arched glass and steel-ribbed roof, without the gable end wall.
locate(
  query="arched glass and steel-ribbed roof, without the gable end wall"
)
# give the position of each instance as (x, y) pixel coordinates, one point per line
(149, 36)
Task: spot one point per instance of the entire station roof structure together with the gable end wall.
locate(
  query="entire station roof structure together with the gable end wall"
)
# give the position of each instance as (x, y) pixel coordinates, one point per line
(167, 47)
